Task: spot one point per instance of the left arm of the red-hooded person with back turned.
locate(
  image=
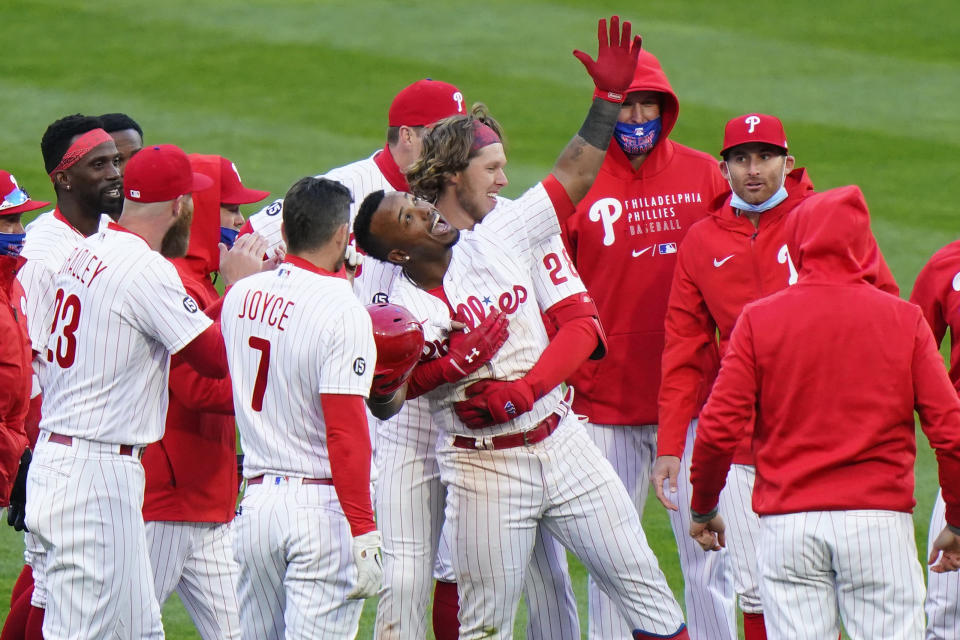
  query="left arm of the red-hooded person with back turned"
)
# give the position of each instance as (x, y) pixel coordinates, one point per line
(723, 422)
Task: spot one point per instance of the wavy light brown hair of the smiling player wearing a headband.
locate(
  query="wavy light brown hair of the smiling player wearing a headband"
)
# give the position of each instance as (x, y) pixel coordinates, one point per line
(447, 149)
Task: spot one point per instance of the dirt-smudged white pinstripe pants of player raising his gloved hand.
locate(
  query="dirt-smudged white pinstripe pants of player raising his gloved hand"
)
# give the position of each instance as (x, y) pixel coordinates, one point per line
(496, 500)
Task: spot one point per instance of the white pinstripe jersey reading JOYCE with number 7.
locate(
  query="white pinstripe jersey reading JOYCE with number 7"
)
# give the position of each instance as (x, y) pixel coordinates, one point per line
(291, 335)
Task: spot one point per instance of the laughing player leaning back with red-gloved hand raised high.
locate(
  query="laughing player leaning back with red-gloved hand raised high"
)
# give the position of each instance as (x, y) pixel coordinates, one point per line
(515, 457)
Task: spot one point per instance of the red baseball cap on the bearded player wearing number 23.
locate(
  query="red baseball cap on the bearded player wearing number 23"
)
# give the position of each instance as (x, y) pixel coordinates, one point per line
(160, 173)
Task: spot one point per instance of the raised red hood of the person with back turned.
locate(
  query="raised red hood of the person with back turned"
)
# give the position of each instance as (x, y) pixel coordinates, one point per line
(829, 238)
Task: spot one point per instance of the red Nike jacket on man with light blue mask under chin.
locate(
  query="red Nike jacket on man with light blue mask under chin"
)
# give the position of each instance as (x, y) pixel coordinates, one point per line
(724, 263)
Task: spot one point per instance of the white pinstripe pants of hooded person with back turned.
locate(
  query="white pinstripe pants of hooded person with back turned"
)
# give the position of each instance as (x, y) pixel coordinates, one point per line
(860, 566)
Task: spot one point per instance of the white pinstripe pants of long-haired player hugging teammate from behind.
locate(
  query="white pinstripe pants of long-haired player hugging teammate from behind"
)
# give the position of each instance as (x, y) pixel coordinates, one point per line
(410, 501)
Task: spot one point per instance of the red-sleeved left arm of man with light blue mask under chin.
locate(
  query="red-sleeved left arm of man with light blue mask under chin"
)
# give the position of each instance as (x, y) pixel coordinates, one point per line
(690, 345)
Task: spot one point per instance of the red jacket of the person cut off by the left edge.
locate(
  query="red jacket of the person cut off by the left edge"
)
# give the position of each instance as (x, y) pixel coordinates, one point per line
(16, 373)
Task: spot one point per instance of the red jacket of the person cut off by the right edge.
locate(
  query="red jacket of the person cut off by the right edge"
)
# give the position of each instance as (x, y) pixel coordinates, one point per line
(937, 291)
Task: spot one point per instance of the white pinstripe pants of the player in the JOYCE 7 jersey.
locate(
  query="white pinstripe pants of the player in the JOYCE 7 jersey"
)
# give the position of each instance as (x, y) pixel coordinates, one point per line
(293, 545)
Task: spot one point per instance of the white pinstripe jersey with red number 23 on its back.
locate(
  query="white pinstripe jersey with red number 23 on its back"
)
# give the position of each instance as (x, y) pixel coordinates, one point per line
(120, 310)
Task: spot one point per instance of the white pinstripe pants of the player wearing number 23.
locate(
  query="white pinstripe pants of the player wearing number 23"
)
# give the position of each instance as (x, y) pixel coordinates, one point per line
(84, 503)
